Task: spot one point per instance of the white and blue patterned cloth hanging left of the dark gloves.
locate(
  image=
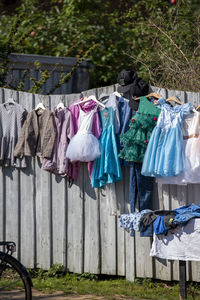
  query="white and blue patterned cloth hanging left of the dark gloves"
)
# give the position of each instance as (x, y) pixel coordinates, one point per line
(131, 222)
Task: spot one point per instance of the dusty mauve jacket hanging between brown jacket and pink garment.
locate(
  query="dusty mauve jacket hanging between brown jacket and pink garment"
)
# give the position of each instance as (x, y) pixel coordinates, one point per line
(59, 164)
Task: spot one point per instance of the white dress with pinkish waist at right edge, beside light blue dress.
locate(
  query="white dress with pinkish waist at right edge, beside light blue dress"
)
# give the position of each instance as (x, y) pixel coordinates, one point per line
(191, 150)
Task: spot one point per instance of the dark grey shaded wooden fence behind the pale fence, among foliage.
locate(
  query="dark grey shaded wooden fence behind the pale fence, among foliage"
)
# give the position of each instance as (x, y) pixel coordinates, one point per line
(78, 82)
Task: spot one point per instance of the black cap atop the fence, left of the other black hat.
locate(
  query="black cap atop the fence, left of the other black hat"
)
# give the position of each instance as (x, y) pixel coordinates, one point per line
(125, 80)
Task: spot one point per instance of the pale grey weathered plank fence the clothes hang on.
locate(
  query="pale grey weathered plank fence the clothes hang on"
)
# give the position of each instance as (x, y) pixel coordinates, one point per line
(52, 223)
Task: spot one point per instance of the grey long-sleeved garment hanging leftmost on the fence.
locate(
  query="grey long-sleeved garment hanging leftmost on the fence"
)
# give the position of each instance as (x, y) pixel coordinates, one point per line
(12, 117)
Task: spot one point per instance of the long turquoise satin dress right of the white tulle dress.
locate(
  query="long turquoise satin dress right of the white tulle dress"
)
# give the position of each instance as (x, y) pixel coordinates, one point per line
(107, 168)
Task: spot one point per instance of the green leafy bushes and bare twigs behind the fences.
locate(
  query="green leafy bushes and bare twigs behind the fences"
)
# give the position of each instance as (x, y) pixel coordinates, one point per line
(160, 41)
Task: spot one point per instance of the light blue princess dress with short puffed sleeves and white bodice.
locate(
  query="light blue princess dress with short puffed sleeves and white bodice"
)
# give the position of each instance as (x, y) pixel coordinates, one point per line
(164, 154)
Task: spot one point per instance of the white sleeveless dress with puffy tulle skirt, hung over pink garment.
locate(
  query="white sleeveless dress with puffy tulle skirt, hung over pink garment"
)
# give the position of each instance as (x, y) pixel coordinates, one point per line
(84, 146)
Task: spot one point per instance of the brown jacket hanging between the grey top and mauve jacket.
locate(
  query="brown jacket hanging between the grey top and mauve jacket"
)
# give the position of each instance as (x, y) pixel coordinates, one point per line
(37, 136)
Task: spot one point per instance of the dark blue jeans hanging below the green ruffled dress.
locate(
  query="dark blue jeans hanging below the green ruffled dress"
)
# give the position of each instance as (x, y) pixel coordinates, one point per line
(142, 187)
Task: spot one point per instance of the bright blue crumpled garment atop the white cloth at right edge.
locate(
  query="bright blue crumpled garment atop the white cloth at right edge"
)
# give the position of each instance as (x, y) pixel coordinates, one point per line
(185, 213)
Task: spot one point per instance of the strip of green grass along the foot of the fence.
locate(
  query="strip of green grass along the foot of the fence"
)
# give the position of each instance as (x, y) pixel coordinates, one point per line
(111, 287)
